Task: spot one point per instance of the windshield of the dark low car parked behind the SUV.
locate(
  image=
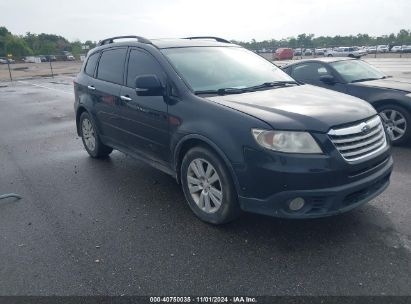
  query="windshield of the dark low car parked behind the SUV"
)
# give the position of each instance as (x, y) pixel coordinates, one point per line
(356, 70)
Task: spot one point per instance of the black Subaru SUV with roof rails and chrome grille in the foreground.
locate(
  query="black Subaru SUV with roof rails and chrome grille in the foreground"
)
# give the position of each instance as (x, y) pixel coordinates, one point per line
(235, 130)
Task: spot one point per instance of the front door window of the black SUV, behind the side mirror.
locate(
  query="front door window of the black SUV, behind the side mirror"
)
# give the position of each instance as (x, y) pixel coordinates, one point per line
(140, 63)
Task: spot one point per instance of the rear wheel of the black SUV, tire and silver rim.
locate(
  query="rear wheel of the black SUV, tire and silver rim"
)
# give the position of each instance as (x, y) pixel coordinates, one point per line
(91, 140)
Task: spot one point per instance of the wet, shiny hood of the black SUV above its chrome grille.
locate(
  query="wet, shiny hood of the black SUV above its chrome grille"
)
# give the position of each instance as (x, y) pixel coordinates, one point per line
(302, 107)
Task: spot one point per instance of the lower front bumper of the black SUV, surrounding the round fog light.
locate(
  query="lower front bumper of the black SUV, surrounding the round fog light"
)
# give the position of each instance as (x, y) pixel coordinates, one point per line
(321, 202)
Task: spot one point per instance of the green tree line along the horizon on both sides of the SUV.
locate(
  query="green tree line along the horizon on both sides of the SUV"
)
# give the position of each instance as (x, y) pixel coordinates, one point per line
(49, 44)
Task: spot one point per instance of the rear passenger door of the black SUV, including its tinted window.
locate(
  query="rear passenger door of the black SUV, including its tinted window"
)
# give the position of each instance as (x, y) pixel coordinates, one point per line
(105, 89)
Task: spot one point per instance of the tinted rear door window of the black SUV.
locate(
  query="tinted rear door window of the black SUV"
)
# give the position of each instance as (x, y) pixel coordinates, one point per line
(111, 65)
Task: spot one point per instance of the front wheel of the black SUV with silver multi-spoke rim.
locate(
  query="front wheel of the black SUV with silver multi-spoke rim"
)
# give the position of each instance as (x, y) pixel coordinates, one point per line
(203, 189)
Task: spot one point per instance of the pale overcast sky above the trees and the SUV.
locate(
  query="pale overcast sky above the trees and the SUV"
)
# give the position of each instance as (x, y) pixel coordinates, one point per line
(232, 19)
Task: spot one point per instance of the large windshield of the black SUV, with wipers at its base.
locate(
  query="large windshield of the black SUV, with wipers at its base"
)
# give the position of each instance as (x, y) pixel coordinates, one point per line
(214, 68)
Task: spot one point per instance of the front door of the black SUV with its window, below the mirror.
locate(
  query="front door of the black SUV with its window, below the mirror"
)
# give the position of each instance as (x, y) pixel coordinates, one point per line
(144, 118)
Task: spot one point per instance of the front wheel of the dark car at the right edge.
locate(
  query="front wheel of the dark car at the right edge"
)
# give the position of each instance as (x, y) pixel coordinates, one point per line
(400, 120)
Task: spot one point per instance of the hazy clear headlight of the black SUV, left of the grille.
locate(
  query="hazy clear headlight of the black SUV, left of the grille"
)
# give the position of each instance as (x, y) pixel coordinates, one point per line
(287, 141)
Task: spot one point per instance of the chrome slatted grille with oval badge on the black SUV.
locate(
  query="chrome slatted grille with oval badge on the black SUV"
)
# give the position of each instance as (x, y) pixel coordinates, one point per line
(359, 140)
